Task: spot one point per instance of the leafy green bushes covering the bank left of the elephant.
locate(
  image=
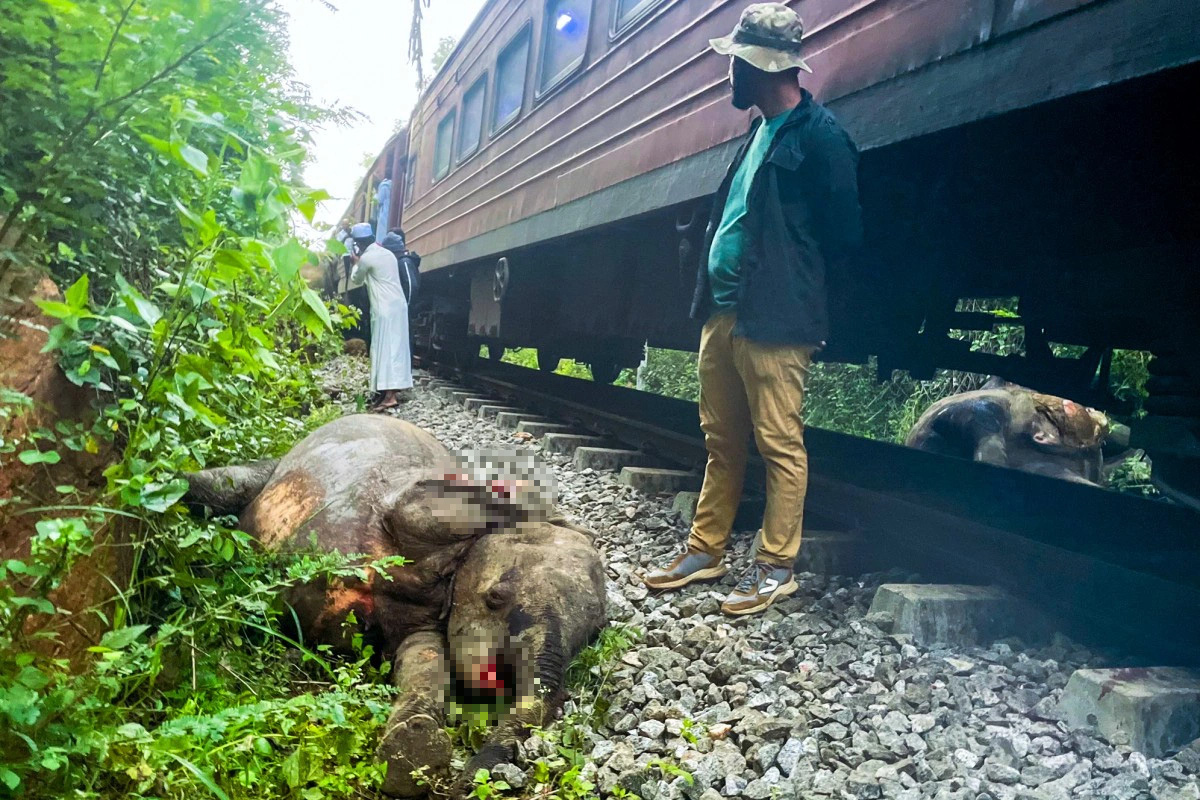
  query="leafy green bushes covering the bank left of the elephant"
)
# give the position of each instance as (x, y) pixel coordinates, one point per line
(151, 159)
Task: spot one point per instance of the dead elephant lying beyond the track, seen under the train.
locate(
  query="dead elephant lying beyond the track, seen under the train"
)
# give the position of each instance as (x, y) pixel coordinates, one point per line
(1012, 426)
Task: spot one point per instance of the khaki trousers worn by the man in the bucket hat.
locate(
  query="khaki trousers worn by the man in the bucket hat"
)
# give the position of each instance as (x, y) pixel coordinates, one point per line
(752, 388)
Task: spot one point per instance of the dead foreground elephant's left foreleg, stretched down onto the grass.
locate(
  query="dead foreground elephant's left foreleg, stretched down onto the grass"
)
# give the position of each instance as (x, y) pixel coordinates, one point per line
(416, 737)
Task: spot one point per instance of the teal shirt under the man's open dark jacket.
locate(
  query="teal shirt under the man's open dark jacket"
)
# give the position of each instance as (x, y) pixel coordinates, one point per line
(729, 243)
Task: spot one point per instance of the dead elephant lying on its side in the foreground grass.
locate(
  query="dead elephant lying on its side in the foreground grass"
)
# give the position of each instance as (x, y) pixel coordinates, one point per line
(497, 590)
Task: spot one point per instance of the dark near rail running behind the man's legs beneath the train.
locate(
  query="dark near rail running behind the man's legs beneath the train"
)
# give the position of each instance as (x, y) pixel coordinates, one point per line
(1107, 569)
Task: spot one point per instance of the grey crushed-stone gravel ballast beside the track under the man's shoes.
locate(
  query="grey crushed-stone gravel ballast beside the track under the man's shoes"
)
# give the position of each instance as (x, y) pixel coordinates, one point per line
(808, 700)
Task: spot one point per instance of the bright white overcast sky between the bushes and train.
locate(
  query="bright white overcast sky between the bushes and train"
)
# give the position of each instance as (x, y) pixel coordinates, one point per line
(358, 57)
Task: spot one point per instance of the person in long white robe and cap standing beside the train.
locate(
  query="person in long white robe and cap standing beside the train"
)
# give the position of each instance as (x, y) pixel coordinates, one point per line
(392, 364)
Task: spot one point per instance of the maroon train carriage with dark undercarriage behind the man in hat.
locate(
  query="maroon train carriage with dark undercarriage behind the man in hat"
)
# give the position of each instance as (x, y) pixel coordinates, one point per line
(560, 169)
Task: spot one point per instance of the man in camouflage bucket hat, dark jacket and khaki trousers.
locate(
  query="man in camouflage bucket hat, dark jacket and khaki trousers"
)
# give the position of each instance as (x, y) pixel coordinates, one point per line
(787, 215)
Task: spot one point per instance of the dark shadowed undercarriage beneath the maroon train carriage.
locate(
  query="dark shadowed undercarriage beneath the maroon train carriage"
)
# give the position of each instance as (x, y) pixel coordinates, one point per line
(1085, 209)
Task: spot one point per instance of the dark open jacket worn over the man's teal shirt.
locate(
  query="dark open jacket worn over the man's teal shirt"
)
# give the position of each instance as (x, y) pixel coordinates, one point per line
(803, 221)
